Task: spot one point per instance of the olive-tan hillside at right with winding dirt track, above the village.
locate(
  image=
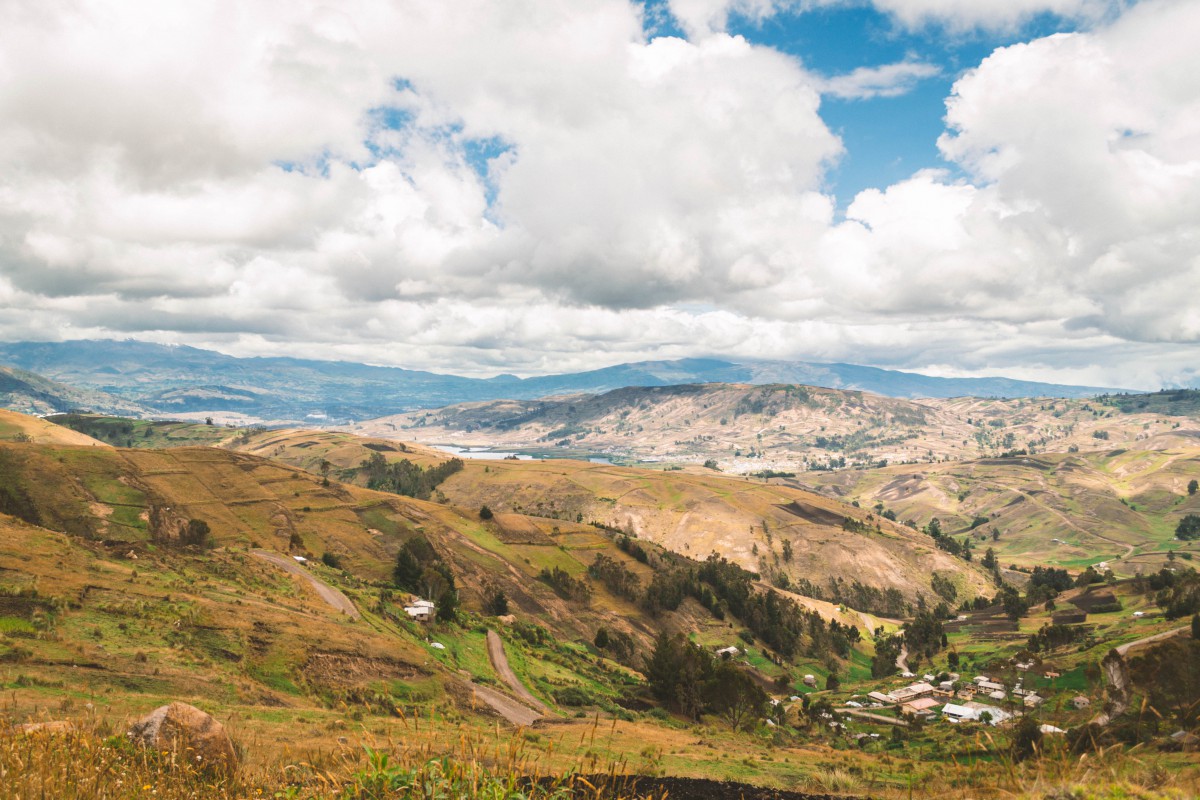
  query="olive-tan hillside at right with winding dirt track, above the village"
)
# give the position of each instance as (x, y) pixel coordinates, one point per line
(1072, 510)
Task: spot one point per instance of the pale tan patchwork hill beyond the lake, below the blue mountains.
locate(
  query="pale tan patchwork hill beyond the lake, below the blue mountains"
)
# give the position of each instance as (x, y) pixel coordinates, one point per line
(784, 428)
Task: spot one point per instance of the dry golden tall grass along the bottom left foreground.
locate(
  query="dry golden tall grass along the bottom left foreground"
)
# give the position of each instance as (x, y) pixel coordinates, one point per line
(94, 762)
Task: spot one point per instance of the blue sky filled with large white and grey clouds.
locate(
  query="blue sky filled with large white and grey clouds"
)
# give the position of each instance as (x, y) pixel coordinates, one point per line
(958, 188)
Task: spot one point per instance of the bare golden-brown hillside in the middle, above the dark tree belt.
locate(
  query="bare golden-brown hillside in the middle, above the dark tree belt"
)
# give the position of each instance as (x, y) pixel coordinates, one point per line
(691, 513)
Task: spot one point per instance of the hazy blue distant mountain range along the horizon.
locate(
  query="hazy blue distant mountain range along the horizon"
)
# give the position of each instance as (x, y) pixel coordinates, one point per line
(177, 380)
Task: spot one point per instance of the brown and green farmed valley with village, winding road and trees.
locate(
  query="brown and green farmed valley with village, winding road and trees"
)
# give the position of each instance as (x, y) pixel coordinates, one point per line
(267, 576)
